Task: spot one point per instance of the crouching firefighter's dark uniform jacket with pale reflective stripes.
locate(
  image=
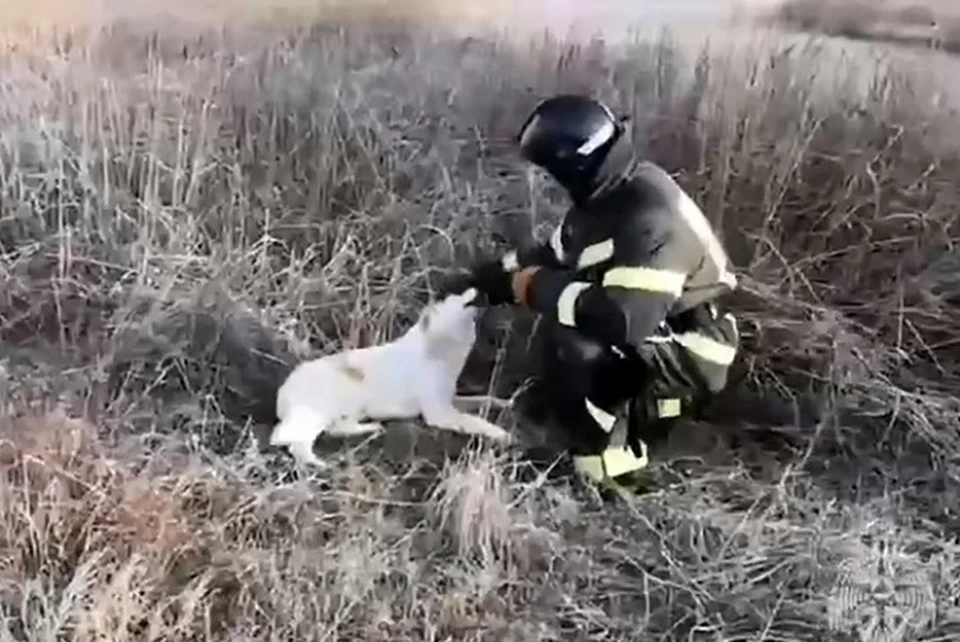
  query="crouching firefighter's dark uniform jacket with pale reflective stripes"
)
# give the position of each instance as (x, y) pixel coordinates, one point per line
(636, 266)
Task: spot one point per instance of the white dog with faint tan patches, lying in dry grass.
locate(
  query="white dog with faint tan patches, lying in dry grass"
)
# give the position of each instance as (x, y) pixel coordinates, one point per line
(415, 375)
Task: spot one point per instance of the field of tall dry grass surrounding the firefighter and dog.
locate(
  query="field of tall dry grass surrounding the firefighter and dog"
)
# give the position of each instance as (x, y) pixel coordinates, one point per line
(182, 216)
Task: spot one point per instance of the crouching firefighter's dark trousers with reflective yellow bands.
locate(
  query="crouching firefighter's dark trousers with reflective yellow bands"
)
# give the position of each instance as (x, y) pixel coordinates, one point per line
(611, 405)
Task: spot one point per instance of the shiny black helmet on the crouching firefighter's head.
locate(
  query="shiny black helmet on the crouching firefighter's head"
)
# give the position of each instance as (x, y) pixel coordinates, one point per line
(570, 136)
